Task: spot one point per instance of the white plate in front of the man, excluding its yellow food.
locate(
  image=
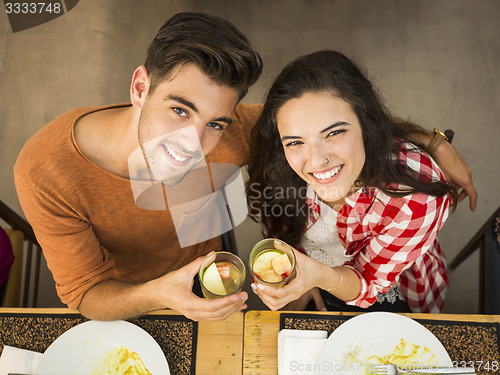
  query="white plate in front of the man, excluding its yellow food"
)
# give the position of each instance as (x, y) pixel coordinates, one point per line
(80, 349)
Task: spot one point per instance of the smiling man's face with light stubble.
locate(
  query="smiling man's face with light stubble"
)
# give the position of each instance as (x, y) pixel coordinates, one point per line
(182, 121)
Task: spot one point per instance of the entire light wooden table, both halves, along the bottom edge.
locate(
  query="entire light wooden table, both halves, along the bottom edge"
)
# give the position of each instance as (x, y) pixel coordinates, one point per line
(247, 343)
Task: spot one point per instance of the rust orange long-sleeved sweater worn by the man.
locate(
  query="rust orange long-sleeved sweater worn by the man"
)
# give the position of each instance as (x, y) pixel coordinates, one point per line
(86, 219)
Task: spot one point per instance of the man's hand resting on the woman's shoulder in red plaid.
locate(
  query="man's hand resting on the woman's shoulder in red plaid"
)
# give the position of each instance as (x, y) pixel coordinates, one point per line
(455, 168)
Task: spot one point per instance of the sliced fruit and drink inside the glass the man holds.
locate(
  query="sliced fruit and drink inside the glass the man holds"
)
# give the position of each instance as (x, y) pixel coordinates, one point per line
(222, 278)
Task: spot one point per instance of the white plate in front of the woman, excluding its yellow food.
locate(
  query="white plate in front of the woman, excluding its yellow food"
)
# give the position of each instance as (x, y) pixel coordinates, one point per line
(376, 333)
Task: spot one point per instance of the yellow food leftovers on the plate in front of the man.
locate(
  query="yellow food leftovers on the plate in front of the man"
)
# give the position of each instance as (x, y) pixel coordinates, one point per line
(121, 361)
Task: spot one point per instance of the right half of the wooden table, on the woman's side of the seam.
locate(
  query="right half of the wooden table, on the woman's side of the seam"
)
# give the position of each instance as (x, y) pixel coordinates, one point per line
(260, 356)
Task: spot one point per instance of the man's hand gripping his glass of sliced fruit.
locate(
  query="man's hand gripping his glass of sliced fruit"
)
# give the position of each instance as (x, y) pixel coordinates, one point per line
(178, 285)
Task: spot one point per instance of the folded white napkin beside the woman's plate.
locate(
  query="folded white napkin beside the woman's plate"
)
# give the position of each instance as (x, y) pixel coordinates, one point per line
(298, 350)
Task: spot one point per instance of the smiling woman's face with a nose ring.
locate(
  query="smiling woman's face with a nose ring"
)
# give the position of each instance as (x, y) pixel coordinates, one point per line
(323, 144)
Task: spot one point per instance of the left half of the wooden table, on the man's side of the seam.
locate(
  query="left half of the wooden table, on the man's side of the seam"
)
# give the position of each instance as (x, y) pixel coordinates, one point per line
(219, 348)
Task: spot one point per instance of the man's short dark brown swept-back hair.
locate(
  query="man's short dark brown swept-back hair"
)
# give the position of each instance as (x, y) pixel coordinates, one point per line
(212, 43)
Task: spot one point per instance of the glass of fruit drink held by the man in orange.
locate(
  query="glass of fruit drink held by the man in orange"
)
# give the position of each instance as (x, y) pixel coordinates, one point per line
(221, 275)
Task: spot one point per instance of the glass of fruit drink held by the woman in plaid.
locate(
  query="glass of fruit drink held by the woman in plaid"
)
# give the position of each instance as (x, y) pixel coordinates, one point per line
(270, 265)
